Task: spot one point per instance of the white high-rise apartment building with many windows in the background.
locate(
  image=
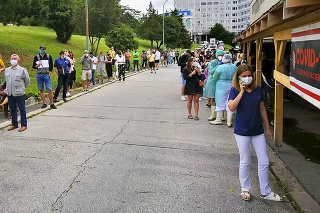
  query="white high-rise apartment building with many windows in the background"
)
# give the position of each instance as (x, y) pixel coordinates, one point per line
(234, 15)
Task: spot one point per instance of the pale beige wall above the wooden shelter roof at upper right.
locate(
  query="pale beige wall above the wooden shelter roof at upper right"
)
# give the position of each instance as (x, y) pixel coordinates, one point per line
(260, 7)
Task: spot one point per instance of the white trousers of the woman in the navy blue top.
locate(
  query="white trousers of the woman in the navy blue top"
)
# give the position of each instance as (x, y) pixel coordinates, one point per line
(260, 147)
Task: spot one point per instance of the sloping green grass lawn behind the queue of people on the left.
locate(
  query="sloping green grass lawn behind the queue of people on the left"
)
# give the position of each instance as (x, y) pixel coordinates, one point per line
(25, 41)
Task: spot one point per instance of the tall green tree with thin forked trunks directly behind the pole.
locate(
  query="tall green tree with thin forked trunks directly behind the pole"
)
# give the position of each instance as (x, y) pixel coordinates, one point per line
(103, 16)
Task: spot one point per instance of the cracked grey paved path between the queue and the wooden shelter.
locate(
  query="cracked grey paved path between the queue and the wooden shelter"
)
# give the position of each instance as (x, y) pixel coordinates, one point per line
(126, 147)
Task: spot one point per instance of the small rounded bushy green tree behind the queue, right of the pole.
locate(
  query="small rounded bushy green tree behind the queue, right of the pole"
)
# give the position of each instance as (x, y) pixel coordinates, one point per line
(122, 38)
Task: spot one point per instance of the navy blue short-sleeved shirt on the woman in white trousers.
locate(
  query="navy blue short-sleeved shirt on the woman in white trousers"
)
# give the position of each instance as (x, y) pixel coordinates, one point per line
(248, 120)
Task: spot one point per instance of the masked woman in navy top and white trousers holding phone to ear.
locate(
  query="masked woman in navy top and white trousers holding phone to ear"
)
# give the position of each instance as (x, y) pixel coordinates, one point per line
(248, 100)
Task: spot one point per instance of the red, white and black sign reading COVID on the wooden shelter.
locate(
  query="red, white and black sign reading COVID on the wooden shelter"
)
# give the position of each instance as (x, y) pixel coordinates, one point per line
(305, 63)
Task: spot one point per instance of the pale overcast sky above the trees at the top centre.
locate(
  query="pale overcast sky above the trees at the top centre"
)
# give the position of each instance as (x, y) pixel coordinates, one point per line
(142, 5)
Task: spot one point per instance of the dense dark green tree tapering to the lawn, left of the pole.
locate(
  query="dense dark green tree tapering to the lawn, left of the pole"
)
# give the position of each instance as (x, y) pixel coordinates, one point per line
(60, 19)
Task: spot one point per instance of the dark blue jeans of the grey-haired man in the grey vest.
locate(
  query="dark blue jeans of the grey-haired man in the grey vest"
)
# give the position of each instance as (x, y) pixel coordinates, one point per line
(13, 101)
